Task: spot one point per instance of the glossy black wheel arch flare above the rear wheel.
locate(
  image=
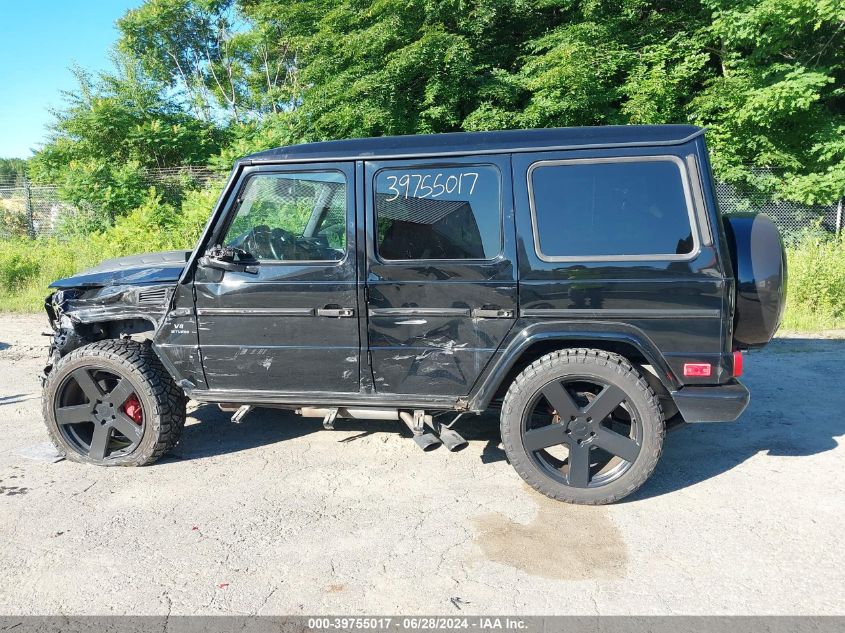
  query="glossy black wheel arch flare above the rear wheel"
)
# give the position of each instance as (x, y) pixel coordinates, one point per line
(536, 340)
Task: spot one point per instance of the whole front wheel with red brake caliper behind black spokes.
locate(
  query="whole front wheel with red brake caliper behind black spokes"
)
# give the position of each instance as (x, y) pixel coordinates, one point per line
(112, 403)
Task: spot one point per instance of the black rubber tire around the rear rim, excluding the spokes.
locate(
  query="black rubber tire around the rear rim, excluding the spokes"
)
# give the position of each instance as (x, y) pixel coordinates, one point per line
(612, 368)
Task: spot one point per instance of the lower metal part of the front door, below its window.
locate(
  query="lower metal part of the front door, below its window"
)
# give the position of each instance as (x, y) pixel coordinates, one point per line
(271, 337)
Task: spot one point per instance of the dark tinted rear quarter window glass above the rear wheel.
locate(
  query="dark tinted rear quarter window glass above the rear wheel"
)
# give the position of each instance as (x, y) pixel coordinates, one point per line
(611, 209)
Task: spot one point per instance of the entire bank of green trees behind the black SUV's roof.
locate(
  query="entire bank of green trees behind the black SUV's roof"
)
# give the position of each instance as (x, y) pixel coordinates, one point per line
(765, 76)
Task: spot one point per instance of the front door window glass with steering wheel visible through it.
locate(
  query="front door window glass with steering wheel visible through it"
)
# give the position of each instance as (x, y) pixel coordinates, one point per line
(292, 216)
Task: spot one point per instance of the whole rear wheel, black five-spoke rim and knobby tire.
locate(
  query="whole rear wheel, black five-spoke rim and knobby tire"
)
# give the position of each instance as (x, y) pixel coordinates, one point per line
(582, 426)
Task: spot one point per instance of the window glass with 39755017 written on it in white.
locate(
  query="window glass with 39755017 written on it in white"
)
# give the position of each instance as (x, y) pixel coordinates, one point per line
(439, 212)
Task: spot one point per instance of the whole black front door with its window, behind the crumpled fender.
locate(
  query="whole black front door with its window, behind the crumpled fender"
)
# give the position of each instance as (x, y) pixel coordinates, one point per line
(288, 322)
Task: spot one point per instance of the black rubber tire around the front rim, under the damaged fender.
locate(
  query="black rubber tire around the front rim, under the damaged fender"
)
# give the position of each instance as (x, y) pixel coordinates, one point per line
(162, 401)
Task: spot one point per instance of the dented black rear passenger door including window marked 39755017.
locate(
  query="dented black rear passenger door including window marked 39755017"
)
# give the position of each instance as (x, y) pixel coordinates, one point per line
(441, 273)
